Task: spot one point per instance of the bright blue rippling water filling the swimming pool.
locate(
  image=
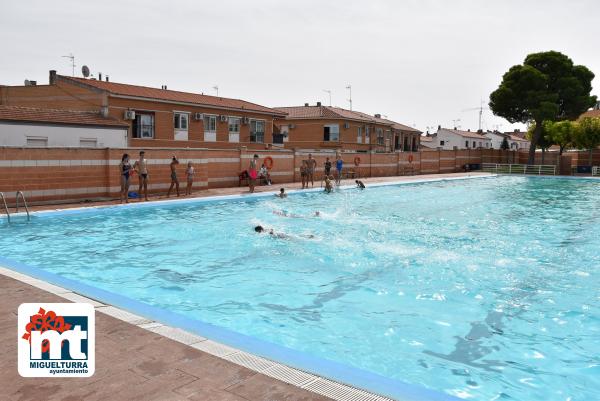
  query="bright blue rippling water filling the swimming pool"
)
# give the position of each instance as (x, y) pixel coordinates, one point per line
(484, 288)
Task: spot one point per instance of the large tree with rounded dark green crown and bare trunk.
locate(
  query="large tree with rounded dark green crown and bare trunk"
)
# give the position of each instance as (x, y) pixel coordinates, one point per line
(547, 86)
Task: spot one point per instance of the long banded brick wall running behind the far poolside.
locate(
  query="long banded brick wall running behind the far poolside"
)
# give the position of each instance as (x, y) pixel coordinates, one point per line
(59, 174)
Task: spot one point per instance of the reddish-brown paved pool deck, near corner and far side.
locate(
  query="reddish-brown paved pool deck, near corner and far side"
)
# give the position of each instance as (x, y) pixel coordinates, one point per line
(133, 362)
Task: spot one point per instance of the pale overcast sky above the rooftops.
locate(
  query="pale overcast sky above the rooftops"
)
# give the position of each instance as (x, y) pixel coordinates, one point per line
(422, 63)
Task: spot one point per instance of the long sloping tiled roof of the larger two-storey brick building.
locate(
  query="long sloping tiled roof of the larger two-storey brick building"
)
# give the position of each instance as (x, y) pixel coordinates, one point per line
(145, 92)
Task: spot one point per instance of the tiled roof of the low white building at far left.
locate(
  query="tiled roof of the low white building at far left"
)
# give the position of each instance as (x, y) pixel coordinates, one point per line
(29, 114)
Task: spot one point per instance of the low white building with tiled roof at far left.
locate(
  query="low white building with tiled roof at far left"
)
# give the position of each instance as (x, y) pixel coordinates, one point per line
(30, 127)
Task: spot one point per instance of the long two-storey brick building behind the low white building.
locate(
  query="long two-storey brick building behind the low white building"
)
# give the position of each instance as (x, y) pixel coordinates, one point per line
(155, 117)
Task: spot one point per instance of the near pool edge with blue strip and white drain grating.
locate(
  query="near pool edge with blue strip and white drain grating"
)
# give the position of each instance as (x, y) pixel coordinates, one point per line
(328, 378)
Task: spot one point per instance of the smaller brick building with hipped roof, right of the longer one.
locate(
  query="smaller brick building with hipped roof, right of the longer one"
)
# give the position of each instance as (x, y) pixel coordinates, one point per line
(326, 127)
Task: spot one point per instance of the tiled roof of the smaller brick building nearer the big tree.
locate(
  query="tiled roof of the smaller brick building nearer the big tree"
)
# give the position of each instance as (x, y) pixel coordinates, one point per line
(317, 112)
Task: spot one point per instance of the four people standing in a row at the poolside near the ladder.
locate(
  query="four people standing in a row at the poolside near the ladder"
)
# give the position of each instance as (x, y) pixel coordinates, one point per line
(140, 167)
